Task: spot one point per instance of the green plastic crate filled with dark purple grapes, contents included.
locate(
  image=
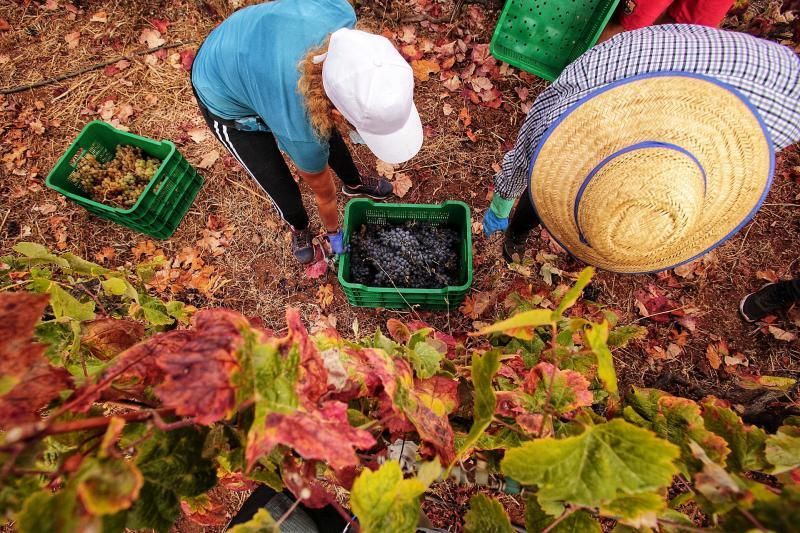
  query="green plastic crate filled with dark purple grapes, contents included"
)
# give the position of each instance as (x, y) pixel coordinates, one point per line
(406, 255)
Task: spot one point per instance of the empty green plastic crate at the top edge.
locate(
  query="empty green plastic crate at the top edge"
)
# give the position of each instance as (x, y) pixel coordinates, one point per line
(544, 36)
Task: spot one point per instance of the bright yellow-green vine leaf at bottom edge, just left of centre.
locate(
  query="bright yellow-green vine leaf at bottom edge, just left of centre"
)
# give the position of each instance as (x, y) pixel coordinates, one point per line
(384, 501)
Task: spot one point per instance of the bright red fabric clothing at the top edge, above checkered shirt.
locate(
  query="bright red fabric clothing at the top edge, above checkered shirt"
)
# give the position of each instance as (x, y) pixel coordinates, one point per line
(642, 13)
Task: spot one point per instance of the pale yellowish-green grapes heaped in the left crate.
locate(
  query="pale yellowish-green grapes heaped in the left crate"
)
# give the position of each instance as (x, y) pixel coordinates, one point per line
(118, 182)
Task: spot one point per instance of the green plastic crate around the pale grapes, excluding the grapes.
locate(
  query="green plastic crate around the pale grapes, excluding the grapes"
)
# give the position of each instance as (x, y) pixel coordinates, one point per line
(165, 200)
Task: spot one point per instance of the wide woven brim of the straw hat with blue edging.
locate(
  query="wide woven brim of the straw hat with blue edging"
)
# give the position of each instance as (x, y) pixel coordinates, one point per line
(709, 119)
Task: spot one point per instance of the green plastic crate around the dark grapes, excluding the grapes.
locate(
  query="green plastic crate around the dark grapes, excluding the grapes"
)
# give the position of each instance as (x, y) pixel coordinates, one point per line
(452, 213)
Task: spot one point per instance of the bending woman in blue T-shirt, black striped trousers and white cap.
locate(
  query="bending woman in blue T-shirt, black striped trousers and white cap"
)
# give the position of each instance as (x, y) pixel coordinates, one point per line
(279, 77)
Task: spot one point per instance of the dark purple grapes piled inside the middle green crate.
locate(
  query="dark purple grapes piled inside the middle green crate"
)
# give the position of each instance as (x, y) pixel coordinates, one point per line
(409, 255)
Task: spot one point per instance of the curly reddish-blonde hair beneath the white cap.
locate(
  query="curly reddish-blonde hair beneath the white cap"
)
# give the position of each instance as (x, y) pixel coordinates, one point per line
(319, 108)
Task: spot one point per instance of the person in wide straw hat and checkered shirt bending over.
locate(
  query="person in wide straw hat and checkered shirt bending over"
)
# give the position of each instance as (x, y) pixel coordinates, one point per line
(650, 149)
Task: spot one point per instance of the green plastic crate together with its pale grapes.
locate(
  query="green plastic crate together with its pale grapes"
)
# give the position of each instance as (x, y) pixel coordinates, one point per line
(139, 183)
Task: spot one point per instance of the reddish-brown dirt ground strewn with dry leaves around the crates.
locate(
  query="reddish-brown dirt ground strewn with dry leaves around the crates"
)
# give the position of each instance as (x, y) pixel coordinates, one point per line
(254, 271)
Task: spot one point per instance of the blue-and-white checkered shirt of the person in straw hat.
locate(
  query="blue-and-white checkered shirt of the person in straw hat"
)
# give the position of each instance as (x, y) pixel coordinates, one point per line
(768, 74)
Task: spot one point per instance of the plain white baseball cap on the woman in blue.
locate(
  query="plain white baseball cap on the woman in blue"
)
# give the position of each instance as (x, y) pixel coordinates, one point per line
(371, 84)
